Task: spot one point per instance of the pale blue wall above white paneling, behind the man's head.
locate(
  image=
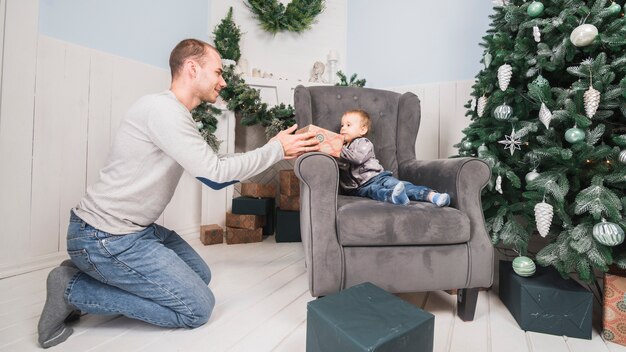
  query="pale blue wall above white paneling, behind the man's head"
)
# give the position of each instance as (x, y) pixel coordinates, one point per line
(142, 30)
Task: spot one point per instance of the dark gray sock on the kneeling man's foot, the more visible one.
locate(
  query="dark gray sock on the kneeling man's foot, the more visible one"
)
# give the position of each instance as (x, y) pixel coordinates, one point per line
(51, 327)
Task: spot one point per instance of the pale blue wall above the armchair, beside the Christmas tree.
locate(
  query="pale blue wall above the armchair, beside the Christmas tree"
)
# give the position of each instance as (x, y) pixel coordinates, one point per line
(404, 42)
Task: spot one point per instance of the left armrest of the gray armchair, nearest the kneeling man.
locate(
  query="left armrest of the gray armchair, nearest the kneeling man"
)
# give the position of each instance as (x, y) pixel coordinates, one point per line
(319, 176)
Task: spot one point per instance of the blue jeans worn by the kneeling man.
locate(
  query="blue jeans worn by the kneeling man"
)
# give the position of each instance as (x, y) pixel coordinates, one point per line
(152, 275)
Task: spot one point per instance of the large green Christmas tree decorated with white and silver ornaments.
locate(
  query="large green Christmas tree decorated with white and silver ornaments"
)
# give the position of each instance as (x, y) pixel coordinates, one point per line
(549, 117)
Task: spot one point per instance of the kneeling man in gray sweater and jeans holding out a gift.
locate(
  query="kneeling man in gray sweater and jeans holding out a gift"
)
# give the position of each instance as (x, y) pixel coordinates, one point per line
(123, 263)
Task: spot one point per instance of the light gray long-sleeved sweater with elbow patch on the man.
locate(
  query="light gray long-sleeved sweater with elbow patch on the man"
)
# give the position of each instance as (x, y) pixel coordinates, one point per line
(156, 141)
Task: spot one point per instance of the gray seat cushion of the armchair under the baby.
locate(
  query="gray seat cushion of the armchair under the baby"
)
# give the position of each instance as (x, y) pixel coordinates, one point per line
(366, 222)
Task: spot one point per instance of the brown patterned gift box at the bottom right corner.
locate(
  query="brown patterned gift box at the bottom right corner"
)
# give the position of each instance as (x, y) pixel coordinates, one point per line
(614, 309)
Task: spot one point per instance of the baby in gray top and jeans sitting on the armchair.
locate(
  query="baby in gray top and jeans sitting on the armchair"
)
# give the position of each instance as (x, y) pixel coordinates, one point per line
(361, 174)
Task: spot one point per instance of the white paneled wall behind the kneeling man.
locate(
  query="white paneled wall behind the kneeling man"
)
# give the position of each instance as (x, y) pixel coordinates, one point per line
(61, 105)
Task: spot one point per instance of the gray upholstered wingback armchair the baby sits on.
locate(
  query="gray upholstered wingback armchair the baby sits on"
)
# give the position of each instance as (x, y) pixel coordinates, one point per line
(348, 240)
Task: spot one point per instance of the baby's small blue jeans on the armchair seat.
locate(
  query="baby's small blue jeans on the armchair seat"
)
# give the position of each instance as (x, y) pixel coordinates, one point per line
(380, 187)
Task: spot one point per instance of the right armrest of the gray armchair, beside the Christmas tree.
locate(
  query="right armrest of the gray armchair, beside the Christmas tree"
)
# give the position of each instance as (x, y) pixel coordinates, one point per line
(463, 179)
